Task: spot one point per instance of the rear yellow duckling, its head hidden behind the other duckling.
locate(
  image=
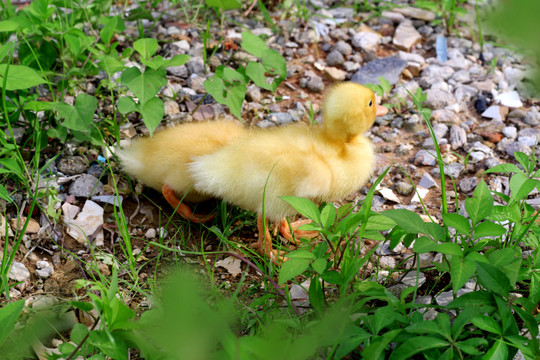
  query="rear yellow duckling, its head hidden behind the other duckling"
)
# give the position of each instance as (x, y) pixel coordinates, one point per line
(161, 162)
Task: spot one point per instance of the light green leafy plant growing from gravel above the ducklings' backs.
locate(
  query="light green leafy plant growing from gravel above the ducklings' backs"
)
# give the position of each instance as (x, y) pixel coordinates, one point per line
(228, 86)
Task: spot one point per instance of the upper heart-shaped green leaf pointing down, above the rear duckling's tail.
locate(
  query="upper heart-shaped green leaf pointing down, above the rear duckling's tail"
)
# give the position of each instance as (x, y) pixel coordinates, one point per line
(144, 85)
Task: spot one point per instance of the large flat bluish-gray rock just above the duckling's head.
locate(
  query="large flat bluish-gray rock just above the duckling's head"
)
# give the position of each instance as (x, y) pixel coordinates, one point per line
(389, 68)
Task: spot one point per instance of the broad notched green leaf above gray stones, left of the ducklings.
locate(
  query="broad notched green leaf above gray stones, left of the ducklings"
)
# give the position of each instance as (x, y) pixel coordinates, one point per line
(79, 116)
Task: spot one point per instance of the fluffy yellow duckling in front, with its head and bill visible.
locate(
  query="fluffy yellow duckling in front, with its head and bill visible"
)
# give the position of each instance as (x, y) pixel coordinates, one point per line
(321, 163)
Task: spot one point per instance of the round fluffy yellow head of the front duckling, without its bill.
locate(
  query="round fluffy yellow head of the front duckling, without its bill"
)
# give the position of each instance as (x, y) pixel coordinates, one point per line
(349, 109)
